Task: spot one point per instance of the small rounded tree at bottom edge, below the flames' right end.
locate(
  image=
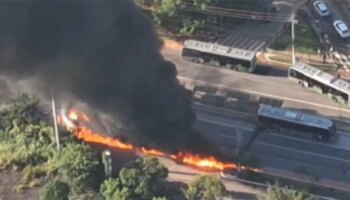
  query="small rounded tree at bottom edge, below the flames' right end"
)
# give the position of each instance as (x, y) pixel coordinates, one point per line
(205, 188)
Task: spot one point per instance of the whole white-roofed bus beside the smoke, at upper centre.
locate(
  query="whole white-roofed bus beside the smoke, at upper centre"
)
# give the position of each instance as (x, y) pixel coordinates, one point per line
(218, 55)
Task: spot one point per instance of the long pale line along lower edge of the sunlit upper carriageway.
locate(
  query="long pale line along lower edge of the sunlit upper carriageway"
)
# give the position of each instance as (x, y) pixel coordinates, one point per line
(268, 95)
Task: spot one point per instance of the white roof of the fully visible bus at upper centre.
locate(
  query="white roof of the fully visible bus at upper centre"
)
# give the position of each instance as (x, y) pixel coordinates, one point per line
(219, 49)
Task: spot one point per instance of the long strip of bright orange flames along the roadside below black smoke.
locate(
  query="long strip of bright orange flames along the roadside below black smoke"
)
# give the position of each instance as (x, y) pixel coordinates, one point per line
(87, 135)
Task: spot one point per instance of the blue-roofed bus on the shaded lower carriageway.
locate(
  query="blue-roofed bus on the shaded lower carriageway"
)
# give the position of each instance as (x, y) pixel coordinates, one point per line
(278, 118)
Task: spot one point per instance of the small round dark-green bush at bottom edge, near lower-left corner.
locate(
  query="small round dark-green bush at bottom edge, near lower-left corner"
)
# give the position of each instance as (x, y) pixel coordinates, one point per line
(55, 190)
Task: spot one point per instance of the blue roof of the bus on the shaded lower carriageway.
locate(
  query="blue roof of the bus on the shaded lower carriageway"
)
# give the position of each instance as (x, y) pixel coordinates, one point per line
(293, 116)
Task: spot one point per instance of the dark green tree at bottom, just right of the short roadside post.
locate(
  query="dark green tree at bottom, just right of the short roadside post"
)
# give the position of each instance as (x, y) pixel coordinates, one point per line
(137, 180)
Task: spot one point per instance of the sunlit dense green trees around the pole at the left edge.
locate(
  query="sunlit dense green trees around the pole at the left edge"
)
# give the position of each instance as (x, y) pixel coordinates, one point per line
(27, 143)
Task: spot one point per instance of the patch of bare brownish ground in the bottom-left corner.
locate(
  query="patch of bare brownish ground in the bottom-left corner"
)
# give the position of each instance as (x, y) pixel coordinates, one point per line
(8, 182)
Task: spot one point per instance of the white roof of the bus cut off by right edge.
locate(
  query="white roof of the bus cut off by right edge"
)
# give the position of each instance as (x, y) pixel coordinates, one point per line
(323, 77)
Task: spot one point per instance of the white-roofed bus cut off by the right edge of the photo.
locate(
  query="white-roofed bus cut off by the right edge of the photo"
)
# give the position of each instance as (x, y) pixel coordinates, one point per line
(320, 81)
